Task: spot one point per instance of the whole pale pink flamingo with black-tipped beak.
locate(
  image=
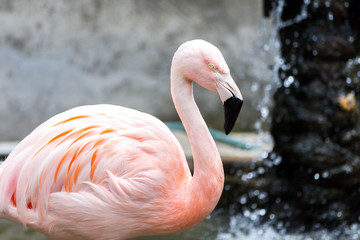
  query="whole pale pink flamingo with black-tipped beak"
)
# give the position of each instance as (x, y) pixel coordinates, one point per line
(109, 172)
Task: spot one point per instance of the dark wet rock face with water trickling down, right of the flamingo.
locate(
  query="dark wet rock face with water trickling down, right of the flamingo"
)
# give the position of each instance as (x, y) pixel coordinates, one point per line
(316, 116)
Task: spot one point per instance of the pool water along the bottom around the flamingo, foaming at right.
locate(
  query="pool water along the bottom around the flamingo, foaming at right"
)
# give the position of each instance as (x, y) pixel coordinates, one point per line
(216, 227)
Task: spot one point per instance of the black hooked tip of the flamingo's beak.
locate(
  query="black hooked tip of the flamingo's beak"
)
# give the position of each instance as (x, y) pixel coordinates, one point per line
(232, 107)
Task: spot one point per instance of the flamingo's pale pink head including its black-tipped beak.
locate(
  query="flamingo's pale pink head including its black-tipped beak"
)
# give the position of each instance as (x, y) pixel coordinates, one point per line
(203, 63)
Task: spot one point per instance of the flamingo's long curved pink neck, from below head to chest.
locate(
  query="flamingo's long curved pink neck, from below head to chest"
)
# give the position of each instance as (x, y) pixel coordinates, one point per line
(205, 187)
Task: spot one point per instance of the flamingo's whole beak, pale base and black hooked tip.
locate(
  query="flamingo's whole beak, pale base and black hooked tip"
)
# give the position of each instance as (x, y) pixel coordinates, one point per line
(232, 99)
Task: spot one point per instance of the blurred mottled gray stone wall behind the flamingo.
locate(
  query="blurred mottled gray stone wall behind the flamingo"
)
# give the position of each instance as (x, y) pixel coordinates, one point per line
(55, 55)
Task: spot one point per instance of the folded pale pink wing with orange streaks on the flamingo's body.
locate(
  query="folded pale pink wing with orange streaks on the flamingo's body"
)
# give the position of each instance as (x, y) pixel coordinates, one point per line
(87, 157)
